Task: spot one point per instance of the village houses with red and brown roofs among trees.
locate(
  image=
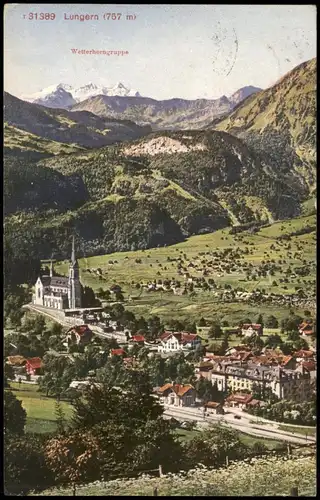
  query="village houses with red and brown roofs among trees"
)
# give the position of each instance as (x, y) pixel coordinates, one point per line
(238, 373)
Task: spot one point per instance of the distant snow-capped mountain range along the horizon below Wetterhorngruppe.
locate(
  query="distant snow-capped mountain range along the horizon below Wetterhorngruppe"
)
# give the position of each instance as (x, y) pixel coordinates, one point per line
(120, 102)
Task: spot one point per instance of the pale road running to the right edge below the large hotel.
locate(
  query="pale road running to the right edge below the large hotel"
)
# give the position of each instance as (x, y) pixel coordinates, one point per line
(265, 430)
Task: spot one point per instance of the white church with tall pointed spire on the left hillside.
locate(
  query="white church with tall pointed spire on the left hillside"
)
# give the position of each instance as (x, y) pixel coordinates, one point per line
(59, 293)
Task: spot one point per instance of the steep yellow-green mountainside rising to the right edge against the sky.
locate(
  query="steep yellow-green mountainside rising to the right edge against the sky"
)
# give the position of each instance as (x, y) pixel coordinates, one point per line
(280, 125)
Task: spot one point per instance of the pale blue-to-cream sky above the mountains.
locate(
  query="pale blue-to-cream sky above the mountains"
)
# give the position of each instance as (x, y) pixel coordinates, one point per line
(174, 51)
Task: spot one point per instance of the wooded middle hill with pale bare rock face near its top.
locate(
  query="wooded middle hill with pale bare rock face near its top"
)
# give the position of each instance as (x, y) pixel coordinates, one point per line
(154, 191)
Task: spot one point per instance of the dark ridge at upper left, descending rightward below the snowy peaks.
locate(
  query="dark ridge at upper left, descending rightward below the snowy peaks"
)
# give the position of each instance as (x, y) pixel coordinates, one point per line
(79, 128)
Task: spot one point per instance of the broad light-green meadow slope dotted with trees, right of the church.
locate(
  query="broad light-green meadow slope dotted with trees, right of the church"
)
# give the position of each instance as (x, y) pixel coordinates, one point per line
(122, 268)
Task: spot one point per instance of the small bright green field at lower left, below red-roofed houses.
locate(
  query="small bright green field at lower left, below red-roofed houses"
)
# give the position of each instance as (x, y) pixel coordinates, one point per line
(40, 410)
